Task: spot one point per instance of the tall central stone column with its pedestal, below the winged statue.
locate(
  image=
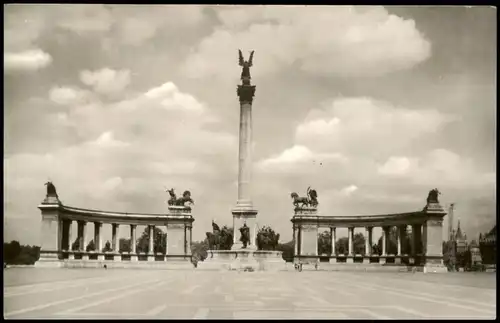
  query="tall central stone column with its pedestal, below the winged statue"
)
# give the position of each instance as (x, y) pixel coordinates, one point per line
(244, 212)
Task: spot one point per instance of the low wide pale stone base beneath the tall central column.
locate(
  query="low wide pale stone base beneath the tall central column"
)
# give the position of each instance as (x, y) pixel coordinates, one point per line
(243, 260)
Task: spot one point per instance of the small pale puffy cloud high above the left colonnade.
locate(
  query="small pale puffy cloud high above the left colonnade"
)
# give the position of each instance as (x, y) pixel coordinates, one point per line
(106, 80)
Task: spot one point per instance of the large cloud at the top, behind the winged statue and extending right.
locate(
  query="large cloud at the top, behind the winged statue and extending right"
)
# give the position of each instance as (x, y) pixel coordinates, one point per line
(366, 41)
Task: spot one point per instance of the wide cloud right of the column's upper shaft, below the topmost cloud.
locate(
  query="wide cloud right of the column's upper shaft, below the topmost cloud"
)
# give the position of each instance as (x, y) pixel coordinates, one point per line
(364, 125)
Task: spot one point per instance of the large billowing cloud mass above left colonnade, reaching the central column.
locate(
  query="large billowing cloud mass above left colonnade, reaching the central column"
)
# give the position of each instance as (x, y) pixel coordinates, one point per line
(123, 153)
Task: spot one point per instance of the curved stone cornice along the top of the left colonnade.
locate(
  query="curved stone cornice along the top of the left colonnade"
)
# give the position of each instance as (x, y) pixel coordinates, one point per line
(176, 214)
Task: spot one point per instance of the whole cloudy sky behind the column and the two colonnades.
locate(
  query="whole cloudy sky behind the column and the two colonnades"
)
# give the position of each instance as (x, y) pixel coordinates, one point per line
(371, 106)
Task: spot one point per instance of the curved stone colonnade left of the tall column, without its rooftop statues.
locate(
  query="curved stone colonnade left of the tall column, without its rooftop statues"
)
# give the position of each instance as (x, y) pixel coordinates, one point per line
(58, 235)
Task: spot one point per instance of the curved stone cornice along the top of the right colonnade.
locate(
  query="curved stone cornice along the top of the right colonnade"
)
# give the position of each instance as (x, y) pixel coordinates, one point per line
(310, 217)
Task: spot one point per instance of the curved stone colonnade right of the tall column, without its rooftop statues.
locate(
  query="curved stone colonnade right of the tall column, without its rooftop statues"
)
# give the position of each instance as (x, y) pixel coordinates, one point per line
(425, 247)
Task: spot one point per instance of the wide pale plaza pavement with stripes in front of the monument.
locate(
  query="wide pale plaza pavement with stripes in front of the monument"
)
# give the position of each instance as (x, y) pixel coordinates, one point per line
(153, 294)
